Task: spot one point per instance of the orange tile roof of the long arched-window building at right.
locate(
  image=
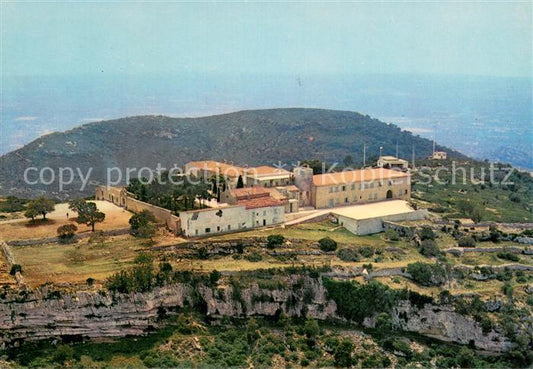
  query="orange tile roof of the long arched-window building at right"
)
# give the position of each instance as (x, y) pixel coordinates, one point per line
(367, 175)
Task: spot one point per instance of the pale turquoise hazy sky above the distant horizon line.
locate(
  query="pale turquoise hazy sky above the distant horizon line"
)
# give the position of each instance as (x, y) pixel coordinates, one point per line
(492, 39)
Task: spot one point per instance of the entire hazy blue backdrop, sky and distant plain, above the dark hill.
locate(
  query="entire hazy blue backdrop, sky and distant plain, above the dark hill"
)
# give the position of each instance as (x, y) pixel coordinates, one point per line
(454, 68)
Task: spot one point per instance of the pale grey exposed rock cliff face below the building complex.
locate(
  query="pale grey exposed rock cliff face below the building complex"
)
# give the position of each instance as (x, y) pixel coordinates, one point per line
(46, 313)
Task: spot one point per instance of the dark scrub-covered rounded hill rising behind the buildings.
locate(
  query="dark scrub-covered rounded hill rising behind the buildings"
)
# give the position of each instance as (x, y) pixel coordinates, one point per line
(246, 137)
